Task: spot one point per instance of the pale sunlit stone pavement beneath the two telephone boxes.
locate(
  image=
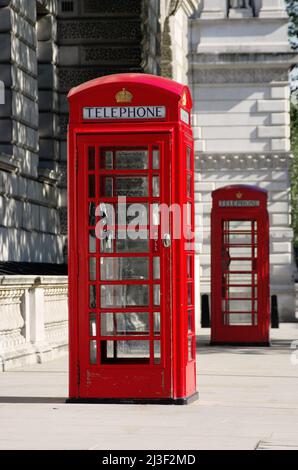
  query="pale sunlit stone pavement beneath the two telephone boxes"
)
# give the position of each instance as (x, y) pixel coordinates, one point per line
(248, 400)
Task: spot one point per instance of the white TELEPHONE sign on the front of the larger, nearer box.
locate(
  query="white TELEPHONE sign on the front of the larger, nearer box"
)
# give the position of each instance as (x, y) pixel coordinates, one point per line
(125, 112)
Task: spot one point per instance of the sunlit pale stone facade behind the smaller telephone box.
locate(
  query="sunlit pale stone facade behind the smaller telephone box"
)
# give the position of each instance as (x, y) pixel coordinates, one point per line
(239, 61)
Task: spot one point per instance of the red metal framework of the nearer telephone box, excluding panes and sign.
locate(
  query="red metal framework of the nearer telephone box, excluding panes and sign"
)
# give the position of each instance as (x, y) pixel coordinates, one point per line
(174, 378)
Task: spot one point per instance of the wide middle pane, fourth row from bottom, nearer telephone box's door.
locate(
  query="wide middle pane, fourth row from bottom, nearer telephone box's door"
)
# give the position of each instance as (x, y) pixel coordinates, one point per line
(118, 269)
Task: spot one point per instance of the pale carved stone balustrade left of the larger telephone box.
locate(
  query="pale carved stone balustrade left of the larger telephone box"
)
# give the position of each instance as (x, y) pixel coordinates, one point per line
(33, 319)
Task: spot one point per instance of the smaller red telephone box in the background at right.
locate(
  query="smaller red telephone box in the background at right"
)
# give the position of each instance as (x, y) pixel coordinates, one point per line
(240, 312)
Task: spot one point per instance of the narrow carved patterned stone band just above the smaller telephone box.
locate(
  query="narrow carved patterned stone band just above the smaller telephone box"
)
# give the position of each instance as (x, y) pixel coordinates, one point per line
(243, 161)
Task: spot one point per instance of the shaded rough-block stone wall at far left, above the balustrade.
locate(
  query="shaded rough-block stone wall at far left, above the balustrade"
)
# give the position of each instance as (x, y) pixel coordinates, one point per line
(28, 193)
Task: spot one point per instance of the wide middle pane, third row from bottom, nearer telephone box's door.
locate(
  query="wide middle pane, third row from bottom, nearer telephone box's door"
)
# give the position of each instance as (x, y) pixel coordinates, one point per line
(124, 295)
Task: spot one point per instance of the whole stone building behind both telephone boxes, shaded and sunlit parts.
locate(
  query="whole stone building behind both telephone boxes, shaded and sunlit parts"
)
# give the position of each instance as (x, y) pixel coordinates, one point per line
(235, 57)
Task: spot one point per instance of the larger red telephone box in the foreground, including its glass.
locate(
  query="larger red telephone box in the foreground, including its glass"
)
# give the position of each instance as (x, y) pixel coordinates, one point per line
(131, 292)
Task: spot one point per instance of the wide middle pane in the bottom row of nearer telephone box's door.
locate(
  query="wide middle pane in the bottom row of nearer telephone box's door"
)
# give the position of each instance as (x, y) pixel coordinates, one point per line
(122, 351)
